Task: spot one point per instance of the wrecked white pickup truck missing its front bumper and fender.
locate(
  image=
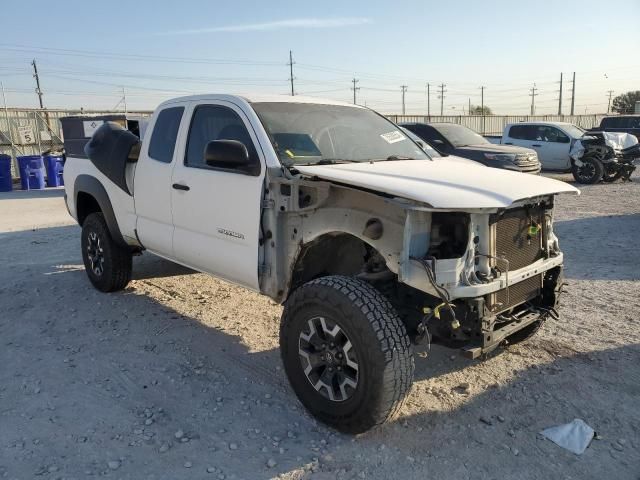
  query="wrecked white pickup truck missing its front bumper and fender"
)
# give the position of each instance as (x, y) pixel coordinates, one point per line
(329, 209)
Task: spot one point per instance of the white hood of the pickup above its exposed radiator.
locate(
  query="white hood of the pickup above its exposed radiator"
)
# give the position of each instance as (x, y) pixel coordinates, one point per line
(441, 183)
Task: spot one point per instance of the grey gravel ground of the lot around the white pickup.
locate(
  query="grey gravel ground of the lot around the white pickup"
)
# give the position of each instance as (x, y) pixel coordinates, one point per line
(179, 376)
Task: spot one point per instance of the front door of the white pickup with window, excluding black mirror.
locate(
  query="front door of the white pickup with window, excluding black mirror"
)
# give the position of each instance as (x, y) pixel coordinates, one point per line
(216, 211)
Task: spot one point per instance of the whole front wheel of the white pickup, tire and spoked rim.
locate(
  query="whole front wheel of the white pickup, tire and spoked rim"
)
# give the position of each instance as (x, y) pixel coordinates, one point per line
(346, 353)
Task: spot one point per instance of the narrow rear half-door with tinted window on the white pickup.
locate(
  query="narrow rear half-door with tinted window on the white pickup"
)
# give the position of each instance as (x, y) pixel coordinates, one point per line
(152, 182)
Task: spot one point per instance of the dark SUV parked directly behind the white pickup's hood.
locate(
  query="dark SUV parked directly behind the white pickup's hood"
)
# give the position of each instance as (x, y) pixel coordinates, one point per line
(454, 139)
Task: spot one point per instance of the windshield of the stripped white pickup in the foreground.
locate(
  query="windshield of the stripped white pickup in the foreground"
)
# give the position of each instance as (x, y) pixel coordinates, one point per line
(307, 134)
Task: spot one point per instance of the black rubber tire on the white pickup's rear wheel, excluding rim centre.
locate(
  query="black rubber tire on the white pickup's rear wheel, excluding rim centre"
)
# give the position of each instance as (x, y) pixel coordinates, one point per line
(116, 264)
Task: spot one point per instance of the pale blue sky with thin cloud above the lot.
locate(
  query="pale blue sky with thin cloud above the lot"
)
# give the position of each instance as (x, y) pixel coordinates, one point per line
(87, 54)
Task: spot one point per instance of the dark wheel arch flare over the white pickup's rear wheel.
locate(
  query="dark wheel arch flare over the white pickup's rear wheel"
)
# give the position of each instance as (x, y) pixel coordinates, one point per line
(91, 197)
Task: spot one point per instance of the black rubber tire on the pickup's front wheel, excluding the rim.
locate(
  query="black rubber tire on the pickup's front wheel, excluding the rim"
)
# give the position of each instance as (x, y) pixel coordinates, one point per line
(379, 340)
